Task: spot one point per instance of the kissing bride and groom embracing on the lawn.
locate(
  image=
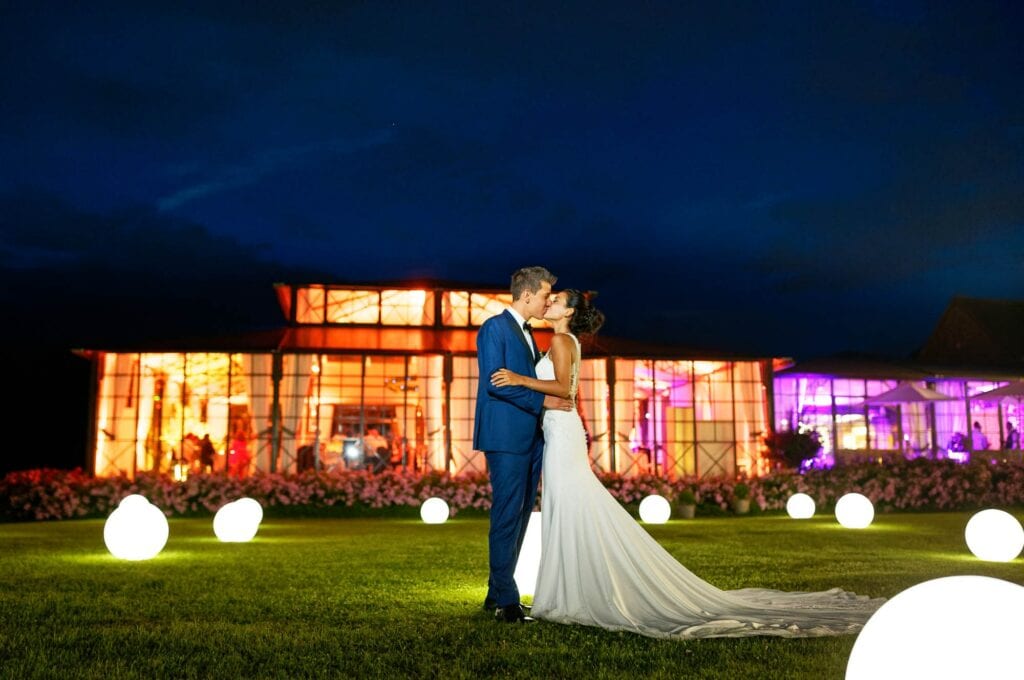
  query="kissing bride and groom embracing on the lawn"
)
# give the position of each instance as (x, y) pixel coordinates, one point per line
(599, 566)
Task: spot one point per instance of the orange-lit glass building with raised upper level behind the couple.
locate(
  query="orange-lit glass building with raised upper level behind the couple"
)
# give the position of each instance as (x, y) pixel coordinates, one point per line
(378, 376)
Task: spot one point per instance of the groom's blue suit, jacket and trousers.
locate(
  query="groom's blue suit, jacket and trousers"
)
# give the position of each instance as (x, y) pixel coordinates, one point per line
(507, 430)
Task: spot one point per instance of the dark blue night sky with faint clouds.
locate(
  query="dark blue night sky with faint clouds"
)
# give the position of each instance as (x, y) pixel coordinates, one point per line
(787, 179)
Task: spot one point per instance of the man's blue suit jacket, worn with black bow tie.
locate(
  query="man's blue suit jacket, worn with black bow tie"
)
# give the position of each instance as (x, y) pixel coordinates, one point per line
(508, 419)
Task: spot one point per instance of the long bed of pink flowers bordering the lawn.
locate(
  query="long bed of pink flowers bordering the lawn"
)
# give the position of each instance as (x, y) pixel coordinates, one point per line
(37, 495)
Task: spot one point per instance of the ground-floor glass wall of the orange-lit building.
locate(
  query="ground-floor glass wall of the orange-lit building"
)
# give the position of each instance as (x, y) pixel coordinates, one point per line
(290, 413)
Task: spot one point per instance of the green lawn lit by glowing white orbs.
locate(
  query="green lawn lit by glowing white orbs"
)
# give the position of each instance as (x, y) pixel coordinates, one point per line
(398, 599)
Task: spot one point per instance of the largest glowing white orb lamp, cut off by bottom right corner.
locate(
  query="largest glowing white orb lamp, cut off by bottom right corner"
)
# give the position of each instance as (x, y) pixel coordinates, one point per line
(926, 632)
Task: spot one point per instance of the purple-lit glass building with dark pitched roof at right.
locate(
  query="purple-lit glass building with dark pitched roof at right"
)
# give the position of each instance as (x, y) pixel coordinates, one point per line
(940, 405)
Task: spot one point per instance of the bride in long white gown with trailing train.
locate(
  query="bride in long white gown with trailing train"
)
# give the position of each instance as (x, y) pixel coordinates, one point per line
(601, 568)
